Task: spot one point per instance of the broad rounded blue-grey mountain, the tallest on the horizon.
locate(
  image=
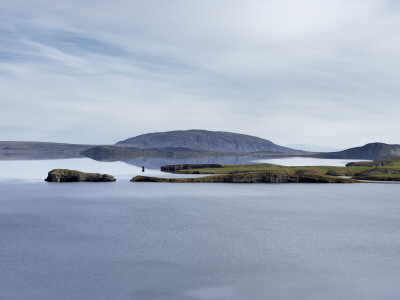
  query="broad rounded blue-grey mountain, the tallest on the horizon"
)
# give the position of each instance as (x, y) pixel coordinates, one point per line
(203, 140)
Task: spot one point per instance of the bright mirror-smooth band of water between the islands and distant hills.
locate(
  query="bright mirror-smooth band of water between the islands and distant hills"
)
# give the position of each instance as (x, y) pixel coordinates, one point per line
(37, 169)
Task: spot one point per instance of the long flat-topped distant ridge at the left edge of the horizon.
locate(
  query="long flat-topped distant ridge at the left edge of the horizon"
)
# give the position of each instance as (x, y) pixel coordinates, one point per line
(10, 150)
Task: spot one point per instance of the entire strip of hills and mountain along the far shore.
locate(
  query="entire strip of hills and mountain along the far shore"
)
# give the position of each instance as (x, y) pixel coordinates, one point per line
(183, 143)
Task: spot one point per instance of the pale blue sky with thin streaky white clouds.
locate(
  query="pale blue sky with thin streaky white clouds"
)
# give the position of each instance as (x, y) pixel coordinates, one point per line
(322, 72)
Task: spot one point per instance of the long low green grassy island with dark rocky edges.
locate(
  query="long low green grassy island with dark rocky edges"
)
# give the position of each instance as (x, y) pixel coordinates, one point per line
(378, 170)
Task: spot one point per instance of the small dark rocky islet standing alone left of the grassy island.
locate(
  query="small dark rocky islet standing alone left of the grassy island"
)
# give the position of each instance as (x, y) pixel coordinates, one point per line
(65, 175)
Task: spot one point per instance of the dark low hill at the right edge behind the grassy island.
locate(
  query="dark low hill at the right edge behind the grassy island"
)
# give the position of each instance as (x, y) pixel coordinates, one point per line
(369, 151)
